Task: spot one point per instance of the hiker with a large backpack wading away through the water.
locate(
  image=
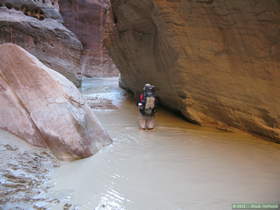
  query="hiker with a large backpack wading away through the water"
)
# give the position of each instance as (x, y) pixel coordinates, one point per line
(147, 107)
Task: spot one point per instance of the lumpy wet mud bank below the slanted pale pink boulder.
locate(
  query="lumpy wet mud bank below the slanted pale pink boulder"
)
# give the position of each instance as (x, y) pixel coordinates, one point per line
(25, 177)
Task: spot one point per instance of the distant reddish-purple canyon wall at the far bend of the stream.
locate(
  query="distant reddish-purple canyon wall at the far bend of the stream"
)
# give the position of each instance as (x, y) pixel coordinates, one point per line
(89, 19)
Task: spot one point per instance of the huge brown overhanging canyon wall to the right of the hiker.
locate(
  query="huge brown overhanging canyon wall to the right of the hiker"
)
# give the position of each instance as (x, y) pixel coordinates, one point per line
(217, 62)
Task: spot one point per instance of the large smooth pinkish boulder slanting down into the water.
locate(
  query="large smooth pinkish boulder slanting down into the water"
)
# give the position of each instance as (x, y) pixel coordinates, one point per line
(44, 108)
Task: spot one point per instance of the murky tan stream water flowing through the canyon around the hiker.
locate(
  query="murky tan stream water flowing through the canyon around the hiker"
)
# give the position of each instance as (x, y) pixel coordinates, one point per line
(176, 166)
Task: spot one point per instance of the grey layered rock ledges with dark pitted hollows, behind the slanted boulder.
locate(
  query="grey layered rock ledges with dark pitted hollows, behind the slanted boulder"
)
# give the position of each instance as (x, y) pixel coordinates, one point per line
(37, 27)
